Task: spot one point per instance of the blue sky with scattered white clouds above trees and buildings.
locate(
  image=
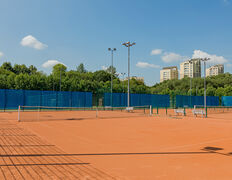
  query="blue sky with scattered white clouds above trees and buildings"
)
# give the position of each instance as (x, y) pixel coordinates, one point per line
(166, 32)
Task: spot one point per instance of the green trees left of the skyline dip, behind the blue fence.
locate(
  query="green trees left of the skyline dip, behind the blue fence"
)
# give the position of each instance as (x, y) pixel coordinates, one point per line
(29, 78)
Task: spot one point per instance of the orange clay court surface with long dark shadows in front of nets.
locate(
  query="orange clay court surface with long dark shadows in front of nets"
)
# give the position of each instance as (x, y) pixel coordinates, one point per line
(135, 148)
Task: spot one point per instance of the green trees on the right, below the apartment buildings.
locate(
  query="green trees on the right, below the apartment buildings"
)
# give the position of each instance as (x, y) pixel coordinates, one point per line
(220, 85)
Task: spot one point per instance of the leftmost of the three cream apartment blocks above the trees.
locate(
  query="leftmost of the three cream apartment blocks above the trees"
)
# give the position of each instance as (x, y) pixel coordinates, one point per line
(168, 73)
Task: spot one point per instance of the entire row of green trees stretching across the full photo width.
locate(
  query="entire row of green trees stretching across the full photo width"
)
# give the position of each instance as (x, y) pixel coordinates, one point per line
(29, 78)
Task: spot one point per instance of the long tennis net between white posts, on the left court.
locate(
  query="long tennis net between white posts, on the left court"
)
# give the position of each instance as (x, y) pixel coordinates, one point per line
(43, 113)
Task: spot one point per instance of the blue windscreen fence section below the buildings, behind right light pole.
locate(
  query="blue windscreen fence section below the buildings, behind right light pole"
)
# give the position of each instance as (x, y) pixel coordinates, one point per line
(190, 101)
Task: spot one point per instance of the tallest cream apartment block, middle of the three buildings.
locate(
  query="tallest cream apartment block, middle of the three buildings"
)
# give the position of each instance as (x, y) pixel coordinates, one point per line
(190, 68)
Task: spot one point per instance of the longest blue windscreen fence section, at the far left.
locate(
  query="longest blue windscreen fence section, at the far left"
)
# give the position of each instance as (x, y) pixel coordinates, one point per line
(11, 99)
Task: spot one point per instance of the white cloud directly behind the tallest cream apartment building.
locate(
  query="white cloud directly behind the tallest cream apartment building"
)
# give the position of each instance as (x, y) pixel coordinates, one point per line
(214, 58)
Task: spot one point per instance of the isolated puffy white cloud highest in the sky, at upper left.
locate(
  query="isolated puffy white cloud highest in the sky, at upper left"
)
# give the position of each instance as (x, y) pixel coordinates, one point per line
(32, 42)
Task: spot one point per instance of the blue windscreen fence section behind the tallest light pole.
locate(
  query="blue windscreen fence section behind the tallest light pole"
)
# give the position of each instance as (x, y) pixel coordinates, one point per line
(120, 100)
